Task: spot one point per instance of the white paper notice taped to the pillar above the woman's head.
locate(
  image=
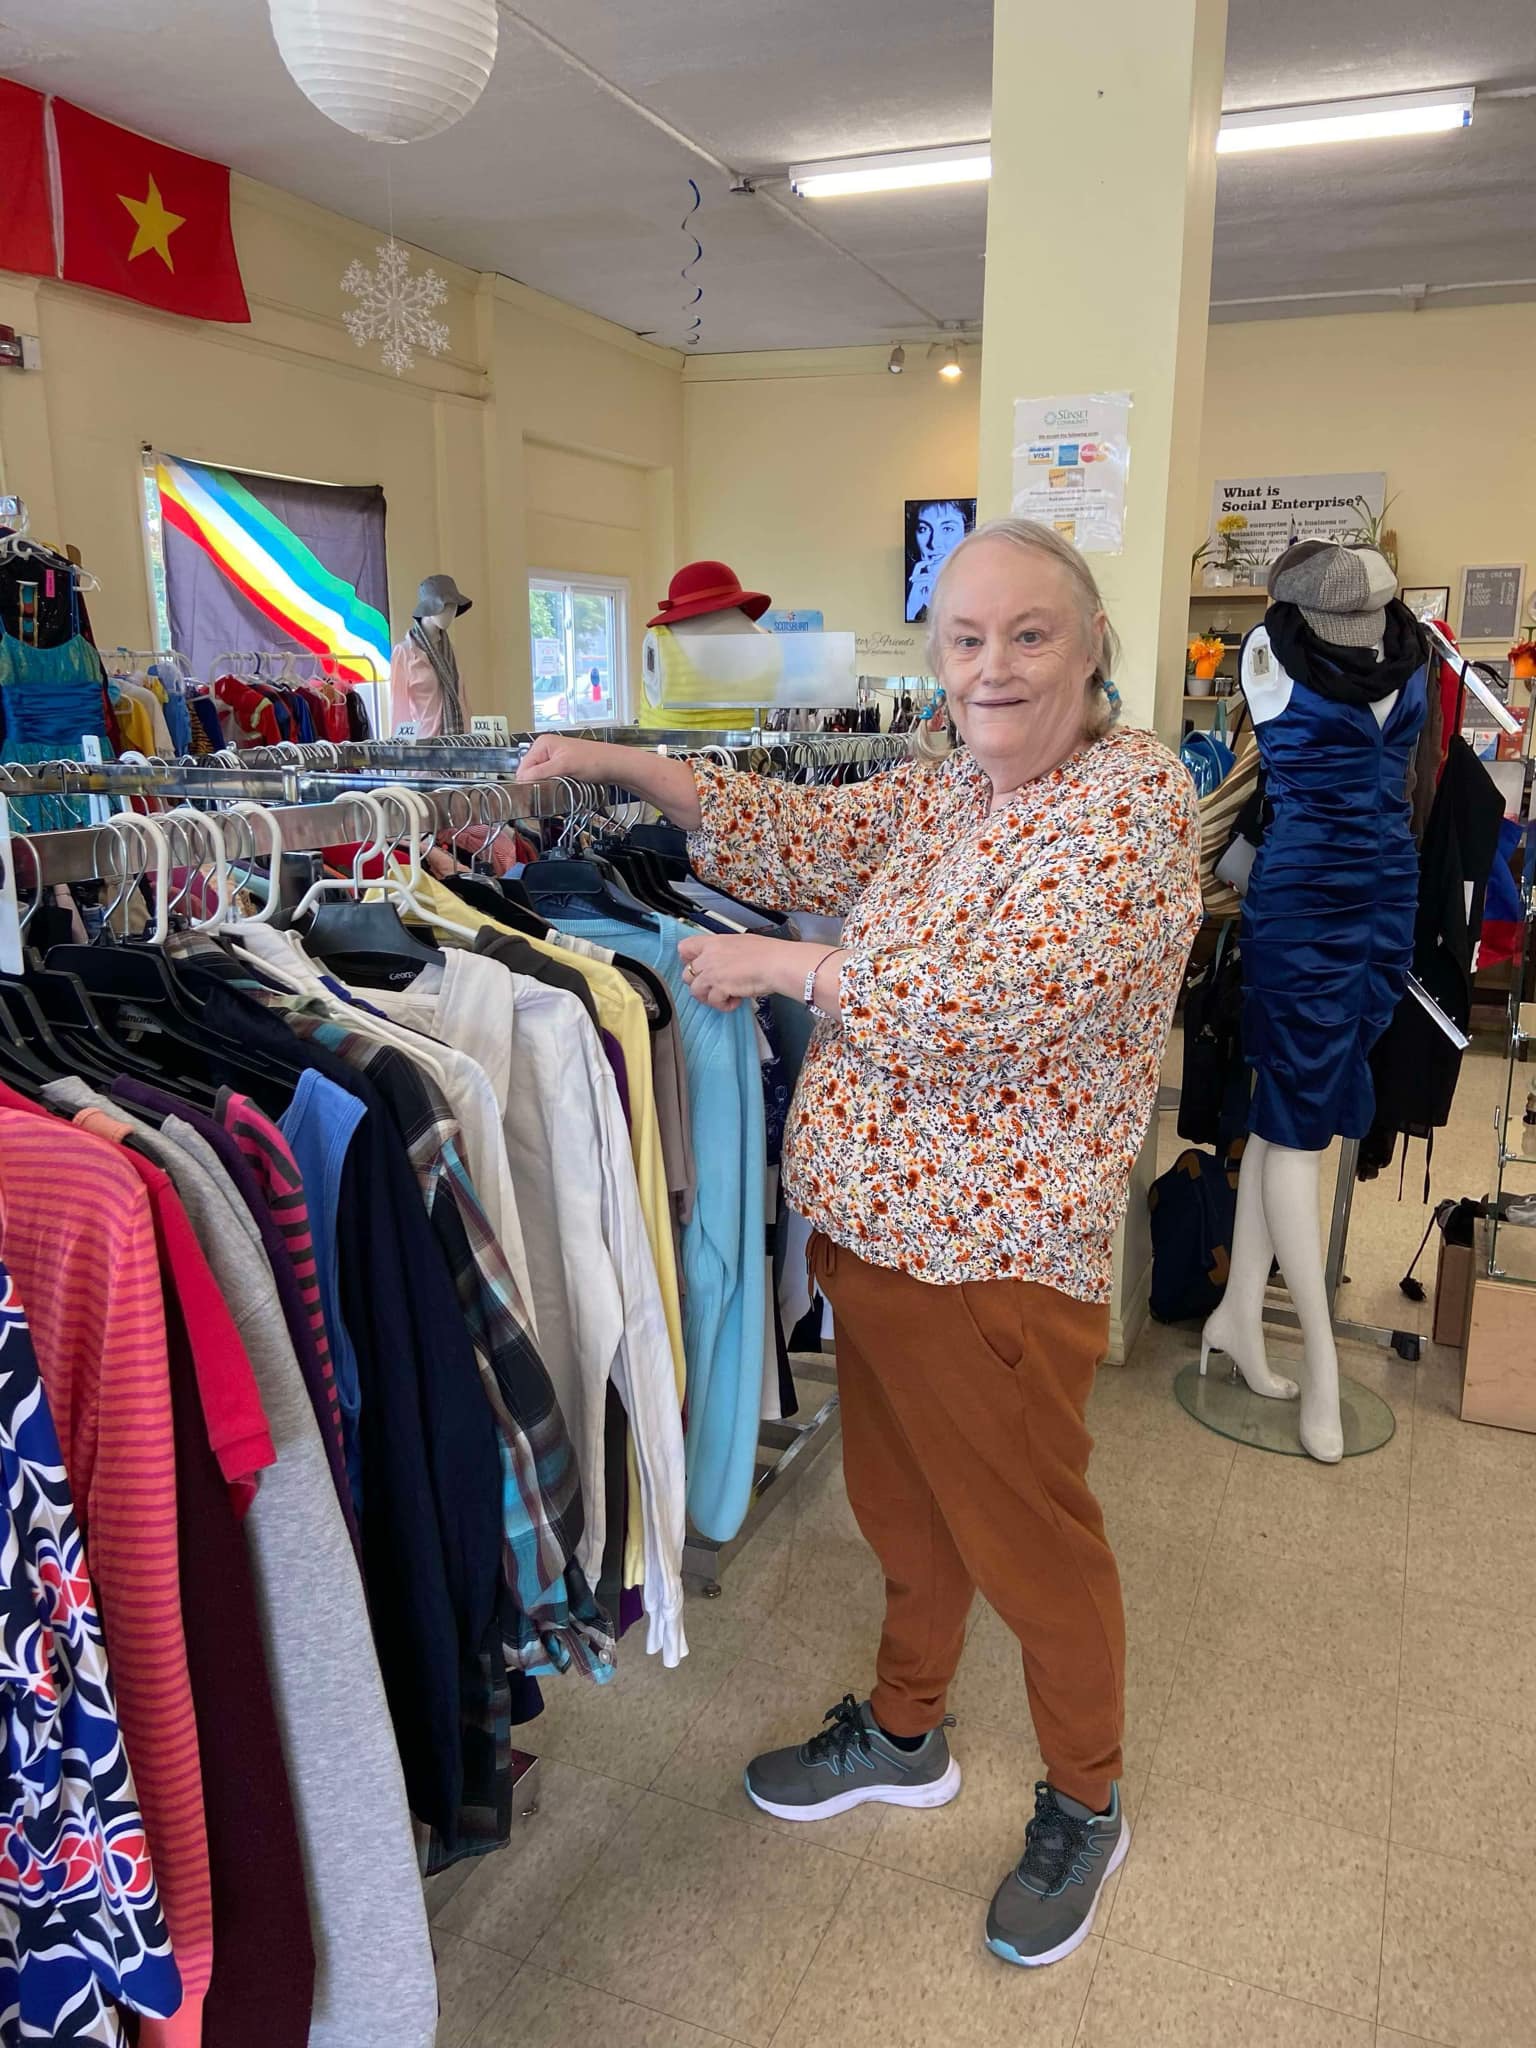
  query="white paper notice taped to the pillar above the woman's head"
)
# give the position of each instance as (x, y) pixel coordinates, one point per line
(1070, 466)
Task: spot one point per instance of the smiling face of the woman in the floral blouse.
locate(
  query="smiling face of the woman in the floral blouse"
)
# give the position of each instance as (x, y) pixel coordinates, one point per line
(1017, 654)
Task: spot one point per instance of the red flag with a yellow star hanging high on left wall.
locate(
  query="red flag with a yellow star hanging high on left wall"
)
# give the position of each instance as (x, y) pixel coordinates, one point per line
(146, 222)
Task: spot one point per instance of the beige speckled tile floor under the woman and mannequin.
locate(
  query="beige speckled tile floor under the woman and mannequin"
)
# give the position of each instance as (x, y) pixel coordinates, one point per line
(1330, 1766)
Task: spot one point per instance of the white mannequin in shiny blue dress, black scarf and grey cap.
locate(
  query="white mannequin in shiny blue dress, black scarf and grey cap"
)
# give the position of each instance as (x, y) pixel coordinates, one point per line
(1328, 935)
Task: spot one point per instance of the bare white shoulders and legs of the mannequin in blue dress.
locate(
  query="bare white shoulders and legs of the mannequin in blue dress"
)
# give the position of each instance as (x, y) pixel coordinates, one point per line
(1279, 1207)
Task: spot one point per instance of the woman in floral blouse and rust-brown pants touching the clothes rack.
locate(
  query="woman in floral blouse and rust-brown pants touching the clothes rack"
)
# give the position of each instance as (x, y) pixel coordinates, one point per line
(976, 1095)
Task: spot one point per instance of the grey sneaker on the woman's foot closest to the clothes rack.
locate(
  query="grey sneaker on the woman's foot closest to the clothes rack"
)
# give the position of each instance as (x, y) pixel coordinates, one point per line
(849, 1764)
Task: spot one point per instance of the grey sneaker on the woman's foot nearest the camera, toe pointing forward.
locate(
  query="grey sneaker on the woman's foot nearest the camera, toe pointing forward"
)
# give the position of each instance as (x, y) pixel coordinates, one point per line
(1046, 1908)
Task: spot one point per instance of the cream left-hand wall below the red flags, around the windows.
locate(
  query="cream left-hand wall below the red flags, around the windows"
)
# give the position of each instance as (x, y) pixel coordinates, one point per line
(292, 394)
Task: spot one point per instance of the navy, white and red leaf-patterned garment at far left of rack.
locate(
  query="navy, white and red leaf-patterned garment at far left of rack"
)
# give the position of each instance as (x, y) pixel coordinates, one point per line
(81, 1920)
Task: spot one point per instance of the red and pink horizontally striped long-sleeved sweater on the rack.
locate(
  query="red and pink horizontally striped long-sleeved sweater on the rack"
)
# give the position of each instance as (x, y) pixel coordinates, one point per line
(77, 1234)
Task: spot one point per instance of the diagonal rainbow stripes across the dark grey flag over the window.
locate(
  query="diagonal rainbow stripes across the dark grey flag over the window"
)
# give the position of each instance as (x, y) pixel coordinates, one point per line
(273, 568)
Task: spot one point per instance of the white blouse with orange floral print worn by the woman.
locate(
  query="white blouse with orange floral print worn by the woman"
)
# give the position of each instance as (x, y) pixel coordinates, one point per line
(1007, 996)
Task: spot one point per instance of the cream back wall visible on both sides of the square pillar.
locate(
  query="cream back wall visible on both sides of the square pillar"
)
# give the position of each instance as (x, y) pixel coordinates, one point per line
(798, 466)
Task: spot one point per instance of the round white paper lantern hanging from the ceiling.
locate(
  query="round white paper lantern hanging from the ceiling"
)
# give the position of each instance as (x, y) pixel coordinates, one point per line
(390, 71)
